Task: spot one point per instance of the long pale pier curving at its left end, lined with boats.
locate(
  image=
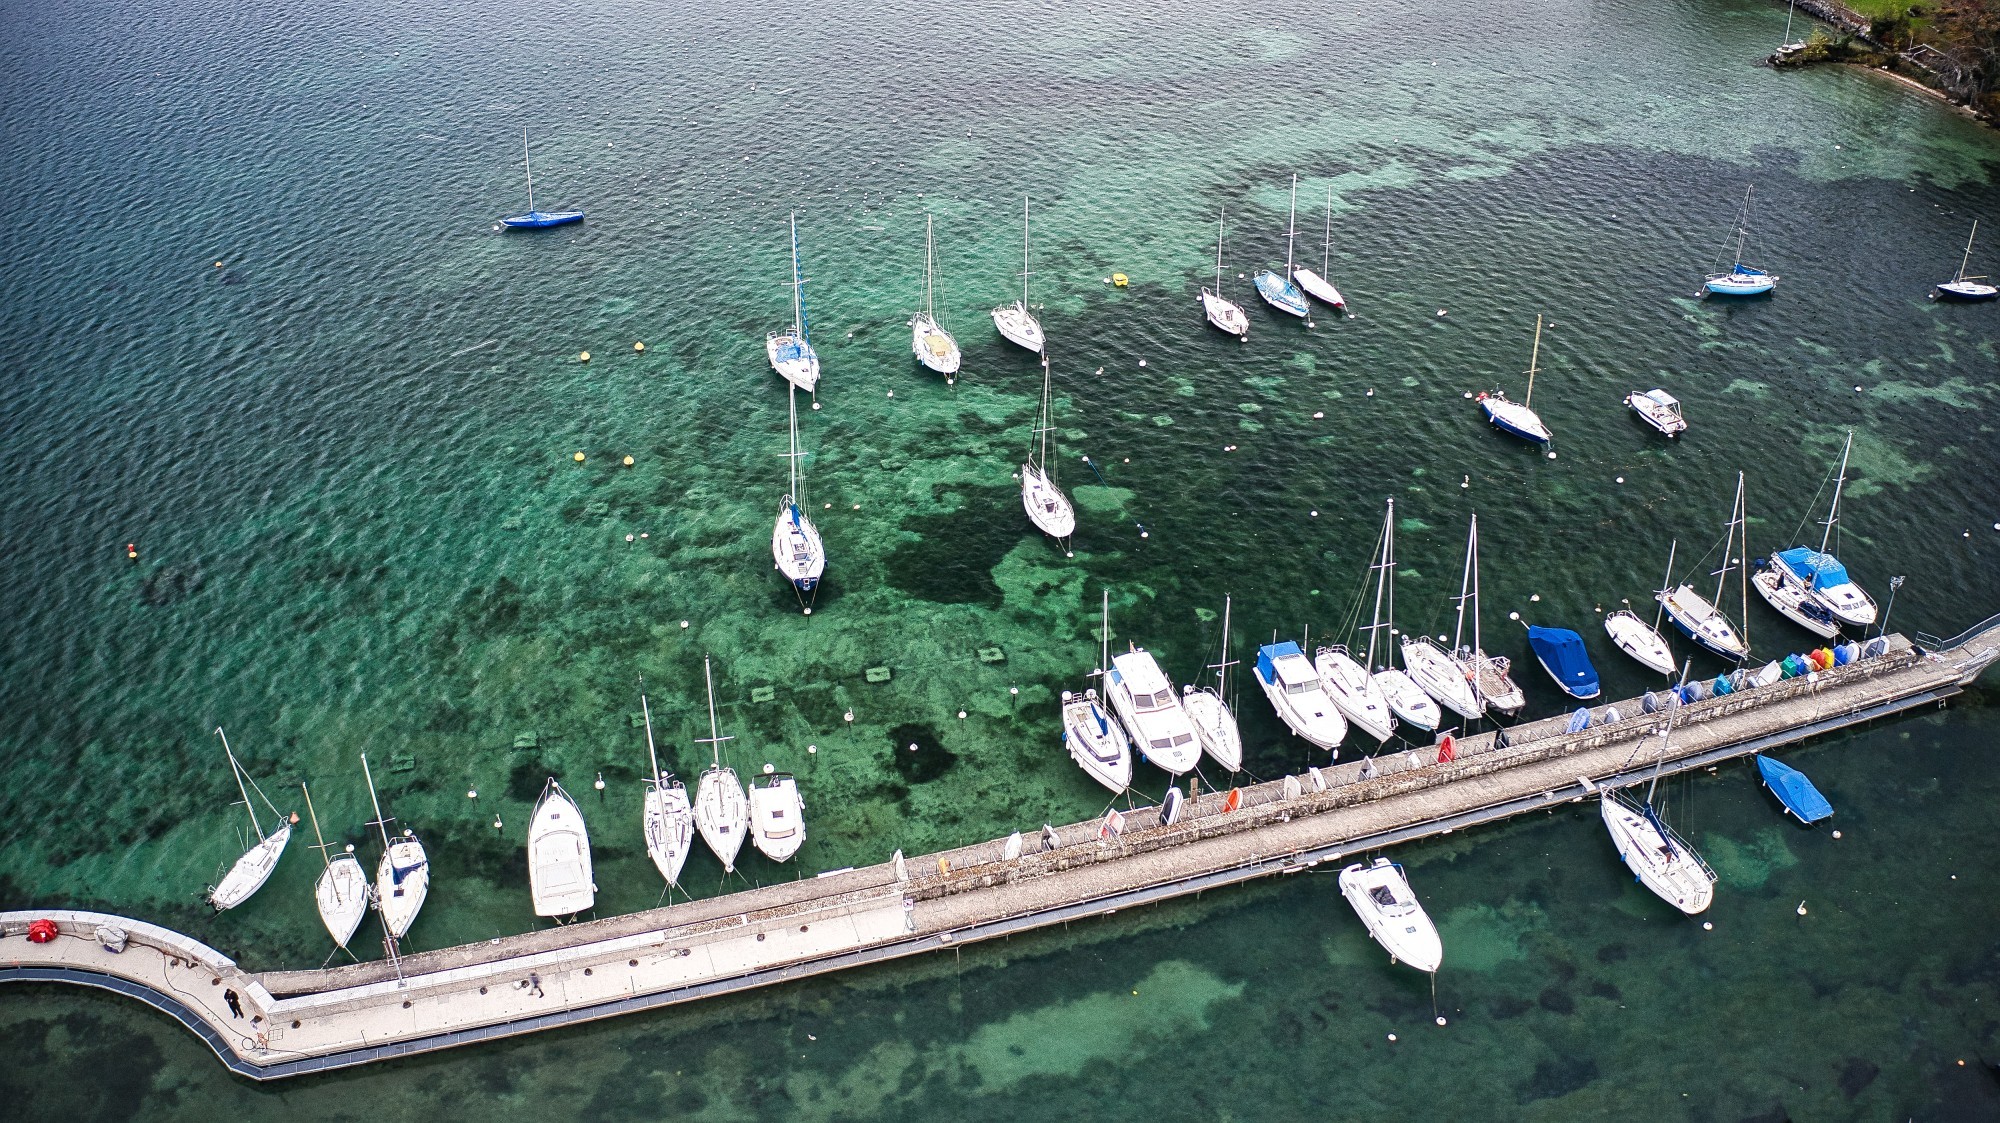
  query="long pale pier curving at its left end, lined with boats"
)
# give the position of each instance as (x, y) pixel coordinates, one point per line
(303, 1022)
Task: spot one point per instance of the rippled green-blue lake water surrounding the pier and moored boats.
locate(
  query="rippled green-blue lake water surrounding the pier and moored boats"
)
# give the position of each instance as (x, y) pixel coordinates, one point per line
(347, 461)
